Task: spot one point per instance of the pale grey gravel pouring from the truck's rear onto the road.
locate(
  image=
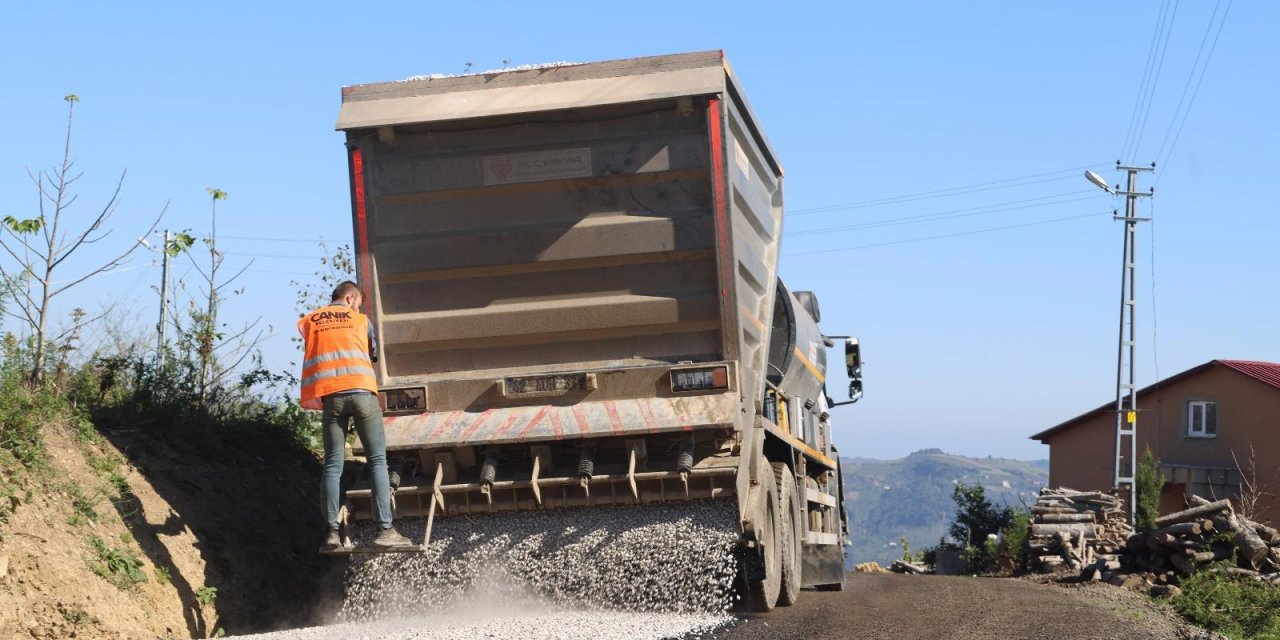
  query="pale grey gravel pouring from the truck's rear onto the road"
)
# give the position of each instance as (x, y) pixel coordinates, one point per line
(656, 572)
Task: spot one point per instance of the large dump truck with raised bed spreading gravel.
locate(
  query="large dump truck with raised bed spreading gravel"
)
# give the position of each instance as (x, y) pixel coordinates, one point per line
(574, 276)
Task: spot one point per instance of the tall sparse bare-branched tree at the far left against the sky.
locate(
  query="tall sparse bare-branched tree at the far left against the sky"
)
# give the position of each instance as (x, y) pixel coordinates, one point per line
(42, 245)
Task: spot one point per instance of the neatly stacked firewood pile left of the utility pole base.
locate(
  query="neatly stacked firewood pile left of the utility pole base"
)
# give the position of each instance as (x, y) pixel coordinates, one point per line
(1072, 531)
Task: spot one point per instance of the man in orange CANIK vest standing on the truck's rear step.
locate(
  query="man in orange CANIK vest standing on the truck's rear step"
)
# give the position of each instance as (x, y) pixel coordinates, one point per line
(339, 380)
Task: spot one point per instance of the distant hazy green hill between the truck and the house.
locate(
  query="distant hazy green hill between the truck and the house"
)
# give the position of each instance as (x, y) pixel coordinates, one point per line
(911, 497)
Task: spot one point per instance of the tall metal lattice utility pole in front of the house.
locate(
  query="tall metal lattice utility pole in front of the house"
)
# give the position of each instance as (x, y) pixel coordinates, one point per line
(1127, 390)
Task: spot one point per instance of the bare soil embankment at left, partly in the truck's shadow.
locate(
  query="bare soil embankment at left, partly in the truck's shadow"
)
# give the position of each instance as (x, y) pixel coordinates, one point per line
(125, 537)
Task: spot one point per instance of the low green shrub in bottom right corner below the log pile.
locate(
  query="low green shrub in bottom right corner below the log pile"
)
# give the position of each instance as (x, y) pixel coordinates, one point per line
(1238, 607)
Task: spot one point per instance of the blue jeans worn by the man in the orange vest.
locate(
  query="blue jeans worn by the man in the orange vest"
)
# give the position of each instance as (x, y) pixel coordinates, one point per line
(340, 409)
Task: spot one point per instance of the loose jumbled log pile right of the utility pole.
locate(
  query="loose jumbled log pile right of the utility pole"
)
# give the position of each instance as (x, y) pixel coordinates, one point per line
(1209, 532)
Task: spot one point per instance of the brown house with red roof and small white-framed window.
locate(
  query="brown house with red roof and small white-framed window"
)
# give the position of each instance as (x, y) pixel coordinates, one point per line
(1212, 427)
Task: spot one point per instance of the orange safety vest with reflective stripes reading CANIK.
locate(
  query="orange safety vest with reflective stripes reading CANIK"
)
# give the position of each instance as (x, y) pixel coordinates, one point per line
(336, 358)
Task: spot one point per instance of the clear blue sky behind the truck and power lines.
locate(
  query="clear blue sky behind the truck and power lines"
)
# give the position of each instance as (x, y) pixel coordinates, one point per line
(972, 342)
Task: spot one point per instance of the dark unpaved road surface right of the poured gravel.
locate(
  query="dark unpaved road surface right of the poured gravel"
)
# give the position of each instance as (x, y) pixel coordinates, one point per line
(962, 609)
